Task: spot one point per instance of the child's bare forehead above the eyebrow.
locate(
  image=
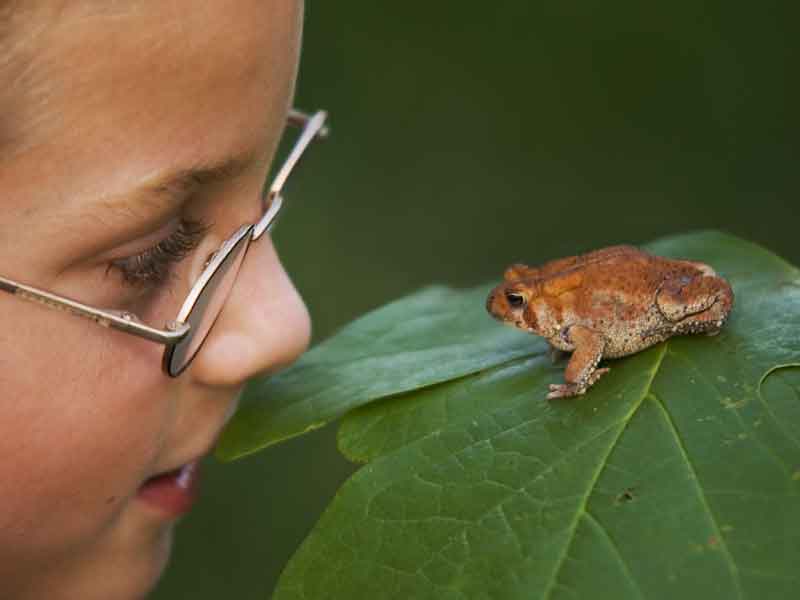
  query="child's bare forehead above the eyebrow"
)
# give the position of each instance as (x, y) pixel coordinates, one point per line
(118, 93)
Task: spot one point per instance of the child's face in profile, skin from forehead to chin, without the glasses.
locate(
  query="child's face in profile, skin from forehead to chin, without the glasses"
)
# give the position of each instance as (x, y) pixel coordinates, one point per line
(96, 104)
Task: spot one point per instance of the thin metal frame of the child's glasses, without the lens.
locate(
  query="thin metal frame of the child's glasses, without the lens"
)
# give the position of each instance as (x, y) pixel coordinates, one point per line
(174, 331)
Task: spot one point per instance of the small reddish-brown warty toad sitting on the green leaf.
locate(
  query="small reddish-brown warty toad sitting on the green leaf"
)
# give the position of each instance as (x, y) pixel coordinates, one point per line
(609, 303)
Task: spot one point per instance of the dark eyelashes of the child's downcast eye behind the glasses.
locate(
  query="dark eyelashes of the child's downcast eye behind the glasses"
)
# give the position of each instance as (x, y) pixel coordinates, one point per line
(153, 267)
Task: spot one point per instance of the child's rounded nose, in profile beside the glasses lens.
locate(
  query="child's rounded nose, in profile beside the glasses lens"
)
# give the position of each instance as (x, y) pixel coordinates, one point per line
(263, 327)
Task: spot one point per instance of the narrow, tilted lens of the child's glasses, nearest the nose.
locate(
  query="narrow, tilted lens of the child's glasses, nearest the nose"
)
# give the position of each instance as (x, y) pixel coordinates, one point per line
(207, 308)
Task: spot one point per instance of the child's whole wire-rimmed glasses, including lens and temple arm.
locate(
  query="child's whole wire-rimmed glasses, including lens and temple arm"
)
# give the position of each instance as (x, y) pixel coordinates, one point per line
(184, 336)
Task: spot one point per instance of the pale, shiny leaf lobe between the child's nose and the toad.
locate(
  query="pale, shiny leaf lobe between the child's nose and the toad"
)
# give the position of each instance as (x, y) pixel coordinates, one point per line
(433, 336)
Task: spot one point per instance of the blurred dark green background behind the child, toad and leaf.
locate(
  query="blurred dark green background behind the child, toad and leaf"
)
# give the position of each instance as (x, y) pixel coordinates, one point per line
(468, 135)
